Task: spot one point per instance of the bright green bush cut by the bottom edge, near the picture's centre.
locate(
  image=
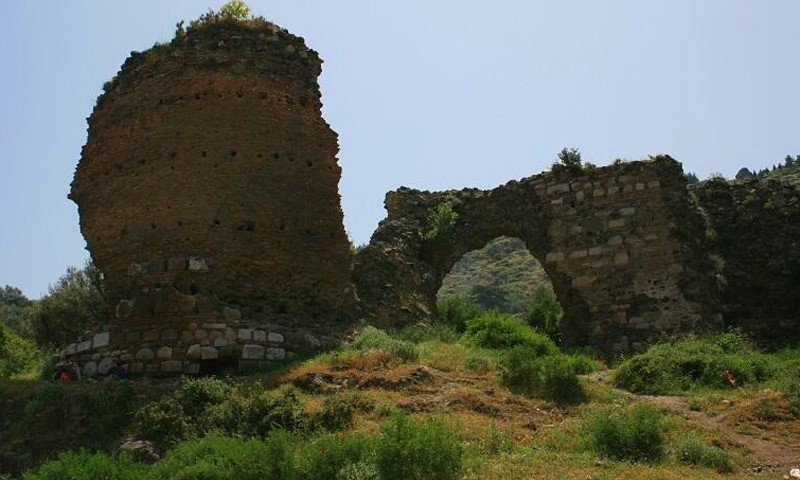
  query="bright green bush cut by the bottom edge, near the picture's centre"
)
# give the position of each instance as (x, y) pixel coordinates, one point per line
(408, 450)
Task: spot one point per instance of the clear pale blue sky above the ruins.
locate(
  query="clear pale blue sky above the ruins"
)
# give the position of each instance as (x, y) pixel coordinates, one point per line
(430, 94)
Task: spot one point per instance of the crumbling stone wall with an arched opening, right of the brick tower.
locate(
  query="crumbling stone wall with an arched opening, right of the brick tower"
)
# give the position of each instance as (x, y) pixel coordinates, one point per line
(623, 246)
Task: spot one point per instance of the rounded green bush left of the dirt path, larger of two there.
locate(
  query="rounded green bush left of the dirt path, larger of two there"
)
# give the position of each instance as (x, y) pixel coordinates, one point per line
(635, 434)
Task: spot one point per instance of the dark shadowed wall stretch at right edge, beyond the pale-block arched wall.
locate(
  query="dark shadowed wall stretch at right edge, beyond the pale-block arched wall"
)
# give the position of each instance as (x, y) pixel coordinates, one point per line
(755, 228)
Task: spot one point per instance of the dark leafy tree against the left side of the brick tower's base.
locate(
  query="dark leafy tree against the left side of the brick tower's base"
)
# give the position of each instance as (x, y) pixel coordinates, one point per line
(75, 304)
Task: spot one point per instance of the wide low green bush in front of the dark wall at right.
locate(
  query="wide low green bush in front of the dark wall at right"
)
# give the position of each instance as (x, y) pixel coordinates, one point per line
(685, 364)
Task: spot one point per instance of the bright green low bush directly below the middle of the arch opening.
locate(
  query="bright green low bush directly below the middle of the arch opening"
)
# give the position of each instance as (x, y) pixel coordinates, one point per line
(496, 330)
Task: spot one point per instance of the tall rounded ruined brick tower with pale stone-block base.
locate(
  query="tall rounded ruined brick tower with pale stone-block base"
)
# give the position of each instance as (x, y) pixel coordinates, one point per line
(208, 197)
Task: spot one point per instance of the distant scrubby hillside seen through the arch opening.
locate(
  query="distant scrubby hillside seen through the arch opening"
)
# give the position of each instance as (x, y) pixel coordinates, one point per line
(502, 275)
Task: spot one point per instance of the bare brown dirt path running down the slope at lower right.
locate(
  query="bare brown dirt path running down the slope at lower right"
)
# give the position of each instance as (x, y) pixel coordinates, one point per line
(769, 456)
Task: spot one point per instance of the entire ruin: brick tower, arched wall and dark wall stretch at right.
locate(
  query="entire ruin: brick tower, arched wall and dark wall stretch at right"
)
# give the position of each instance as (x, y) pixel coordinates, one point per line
(208, 197)
